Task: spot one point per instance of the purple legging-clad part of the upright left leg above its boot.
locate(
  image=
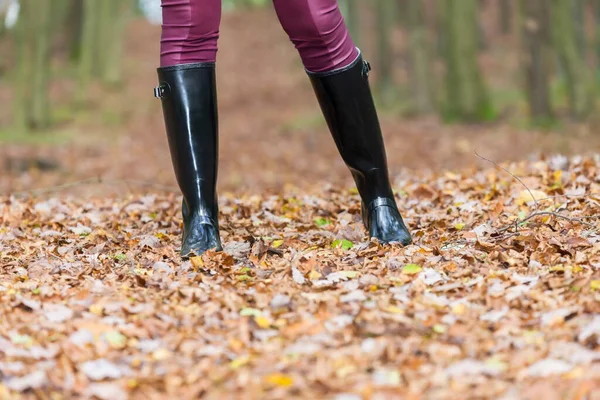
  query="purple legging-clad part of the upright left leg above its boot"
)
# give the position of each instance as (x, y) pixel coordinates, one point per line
(190, 31)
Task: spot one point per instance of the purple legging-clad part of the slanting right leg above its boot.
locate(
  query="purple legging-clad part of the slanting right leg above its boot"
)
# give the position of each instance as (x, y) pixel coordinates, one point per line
(317, 29)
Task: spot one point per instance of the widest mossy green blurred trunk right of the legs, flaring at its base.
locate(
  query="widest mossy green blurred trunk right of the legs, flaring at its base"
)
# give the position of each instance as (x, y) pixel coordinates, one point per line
(466, 95)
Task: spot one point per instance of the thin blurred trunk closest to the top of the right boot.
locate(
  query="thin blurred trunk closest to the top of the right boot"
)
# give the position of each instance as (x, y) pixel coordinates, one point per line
(385, 13)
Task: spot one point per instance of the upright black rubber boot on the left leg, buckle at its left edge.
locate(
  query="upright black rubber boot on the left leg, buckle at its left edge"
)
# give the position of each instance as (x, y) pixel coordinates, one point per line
(189, 100)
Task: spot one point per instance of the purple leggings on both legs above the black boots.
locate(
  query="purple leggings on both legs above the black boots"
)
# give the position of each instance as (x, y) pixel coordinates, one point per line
(316, 27)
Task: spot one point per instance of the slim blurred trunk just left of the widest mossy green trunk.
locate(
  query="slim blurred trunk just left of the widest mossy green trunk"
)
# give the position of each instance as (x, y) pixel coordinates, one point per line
(419, 57)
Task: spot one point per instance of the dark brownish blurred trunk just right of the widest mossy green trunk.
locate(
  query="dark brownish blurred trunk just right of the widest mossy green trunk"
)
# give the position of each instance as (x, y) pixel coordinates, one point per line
(537, 58)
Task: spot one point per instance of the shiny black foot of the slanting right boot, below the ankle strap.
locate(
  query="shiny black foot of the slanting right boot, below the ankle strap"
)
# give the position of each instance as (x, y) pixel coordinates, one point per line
(388, 226)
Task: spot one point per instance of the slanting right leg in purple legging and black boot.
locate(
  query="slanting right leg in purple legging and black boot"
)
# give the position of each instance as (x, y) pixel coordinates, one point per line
(340, 80)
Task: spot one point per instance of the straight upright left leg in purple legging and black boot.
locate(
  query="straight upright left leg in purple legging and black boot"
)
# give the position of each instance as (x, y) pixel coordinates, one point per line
(187, 89)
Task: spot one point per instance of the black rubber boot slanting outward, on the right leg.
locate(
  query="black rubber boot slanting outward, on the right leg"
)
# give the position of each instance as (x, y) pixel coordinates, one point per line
(347, 104)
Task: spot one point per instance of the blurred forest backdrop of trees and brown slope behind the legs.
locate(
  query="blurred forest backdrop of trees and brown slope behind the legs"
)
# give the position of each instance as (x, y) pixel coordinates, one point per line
(507, 78)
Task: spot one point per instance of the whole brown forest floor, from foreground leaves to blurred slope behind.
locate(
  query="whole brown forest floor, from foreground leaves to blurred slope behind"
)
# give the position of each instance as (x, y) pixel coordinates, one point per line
(497, 298)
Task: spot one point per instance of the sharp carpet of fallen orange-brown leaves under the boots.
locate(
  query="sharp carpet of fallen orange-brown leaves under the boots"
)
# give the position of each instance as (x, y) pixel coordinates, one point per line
(94, 300)
